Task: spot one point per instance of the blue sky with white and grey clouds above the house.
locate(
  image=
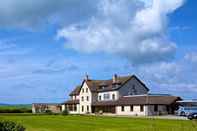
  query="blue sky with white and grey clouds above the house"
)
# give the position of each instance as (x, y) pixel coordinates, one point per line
(47, 47)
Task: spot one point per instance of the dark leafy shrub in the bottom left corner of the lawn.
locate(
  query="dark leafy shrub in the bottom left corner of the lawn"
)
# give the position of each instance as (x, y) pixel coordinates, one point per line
(10, 126)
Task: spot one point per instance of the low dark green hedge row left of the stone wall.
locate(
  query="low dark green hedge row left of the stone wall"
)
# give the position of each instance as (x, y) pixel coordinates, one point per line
(22, 110)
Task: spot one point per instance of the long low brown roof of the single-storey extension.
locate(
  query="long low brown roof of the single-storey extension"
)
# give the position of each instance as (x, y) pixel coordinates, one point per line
(141, 100)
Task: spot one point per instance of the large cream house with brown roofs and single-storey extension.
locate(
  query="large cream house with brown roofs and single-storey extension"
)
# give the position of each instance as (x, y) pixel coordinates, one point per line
(120, 95)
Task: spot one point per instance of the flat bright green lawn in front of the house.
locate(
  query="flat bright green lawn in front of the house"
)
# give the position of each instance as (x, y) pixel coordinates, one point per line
(93, 123)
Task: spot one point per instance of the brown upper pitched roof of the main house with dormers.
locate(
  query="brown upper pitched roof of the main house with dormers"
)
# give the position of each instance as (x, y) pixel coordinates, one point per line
(96, 85)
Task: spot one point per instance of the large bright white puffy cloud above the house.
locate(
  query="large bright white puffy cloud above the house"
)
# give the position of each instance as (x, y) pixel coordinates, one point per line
(133, 29)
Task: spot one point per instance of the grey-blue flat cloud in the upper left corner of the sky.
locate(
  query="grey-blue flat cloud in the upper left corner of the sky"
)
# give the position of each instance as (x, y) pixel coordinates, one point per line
(31, 13)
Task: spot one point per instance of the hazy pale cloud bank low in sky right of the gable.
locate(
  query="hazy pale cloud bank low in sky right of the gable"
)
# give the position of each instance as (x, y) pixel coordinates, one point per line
(178, 77)
